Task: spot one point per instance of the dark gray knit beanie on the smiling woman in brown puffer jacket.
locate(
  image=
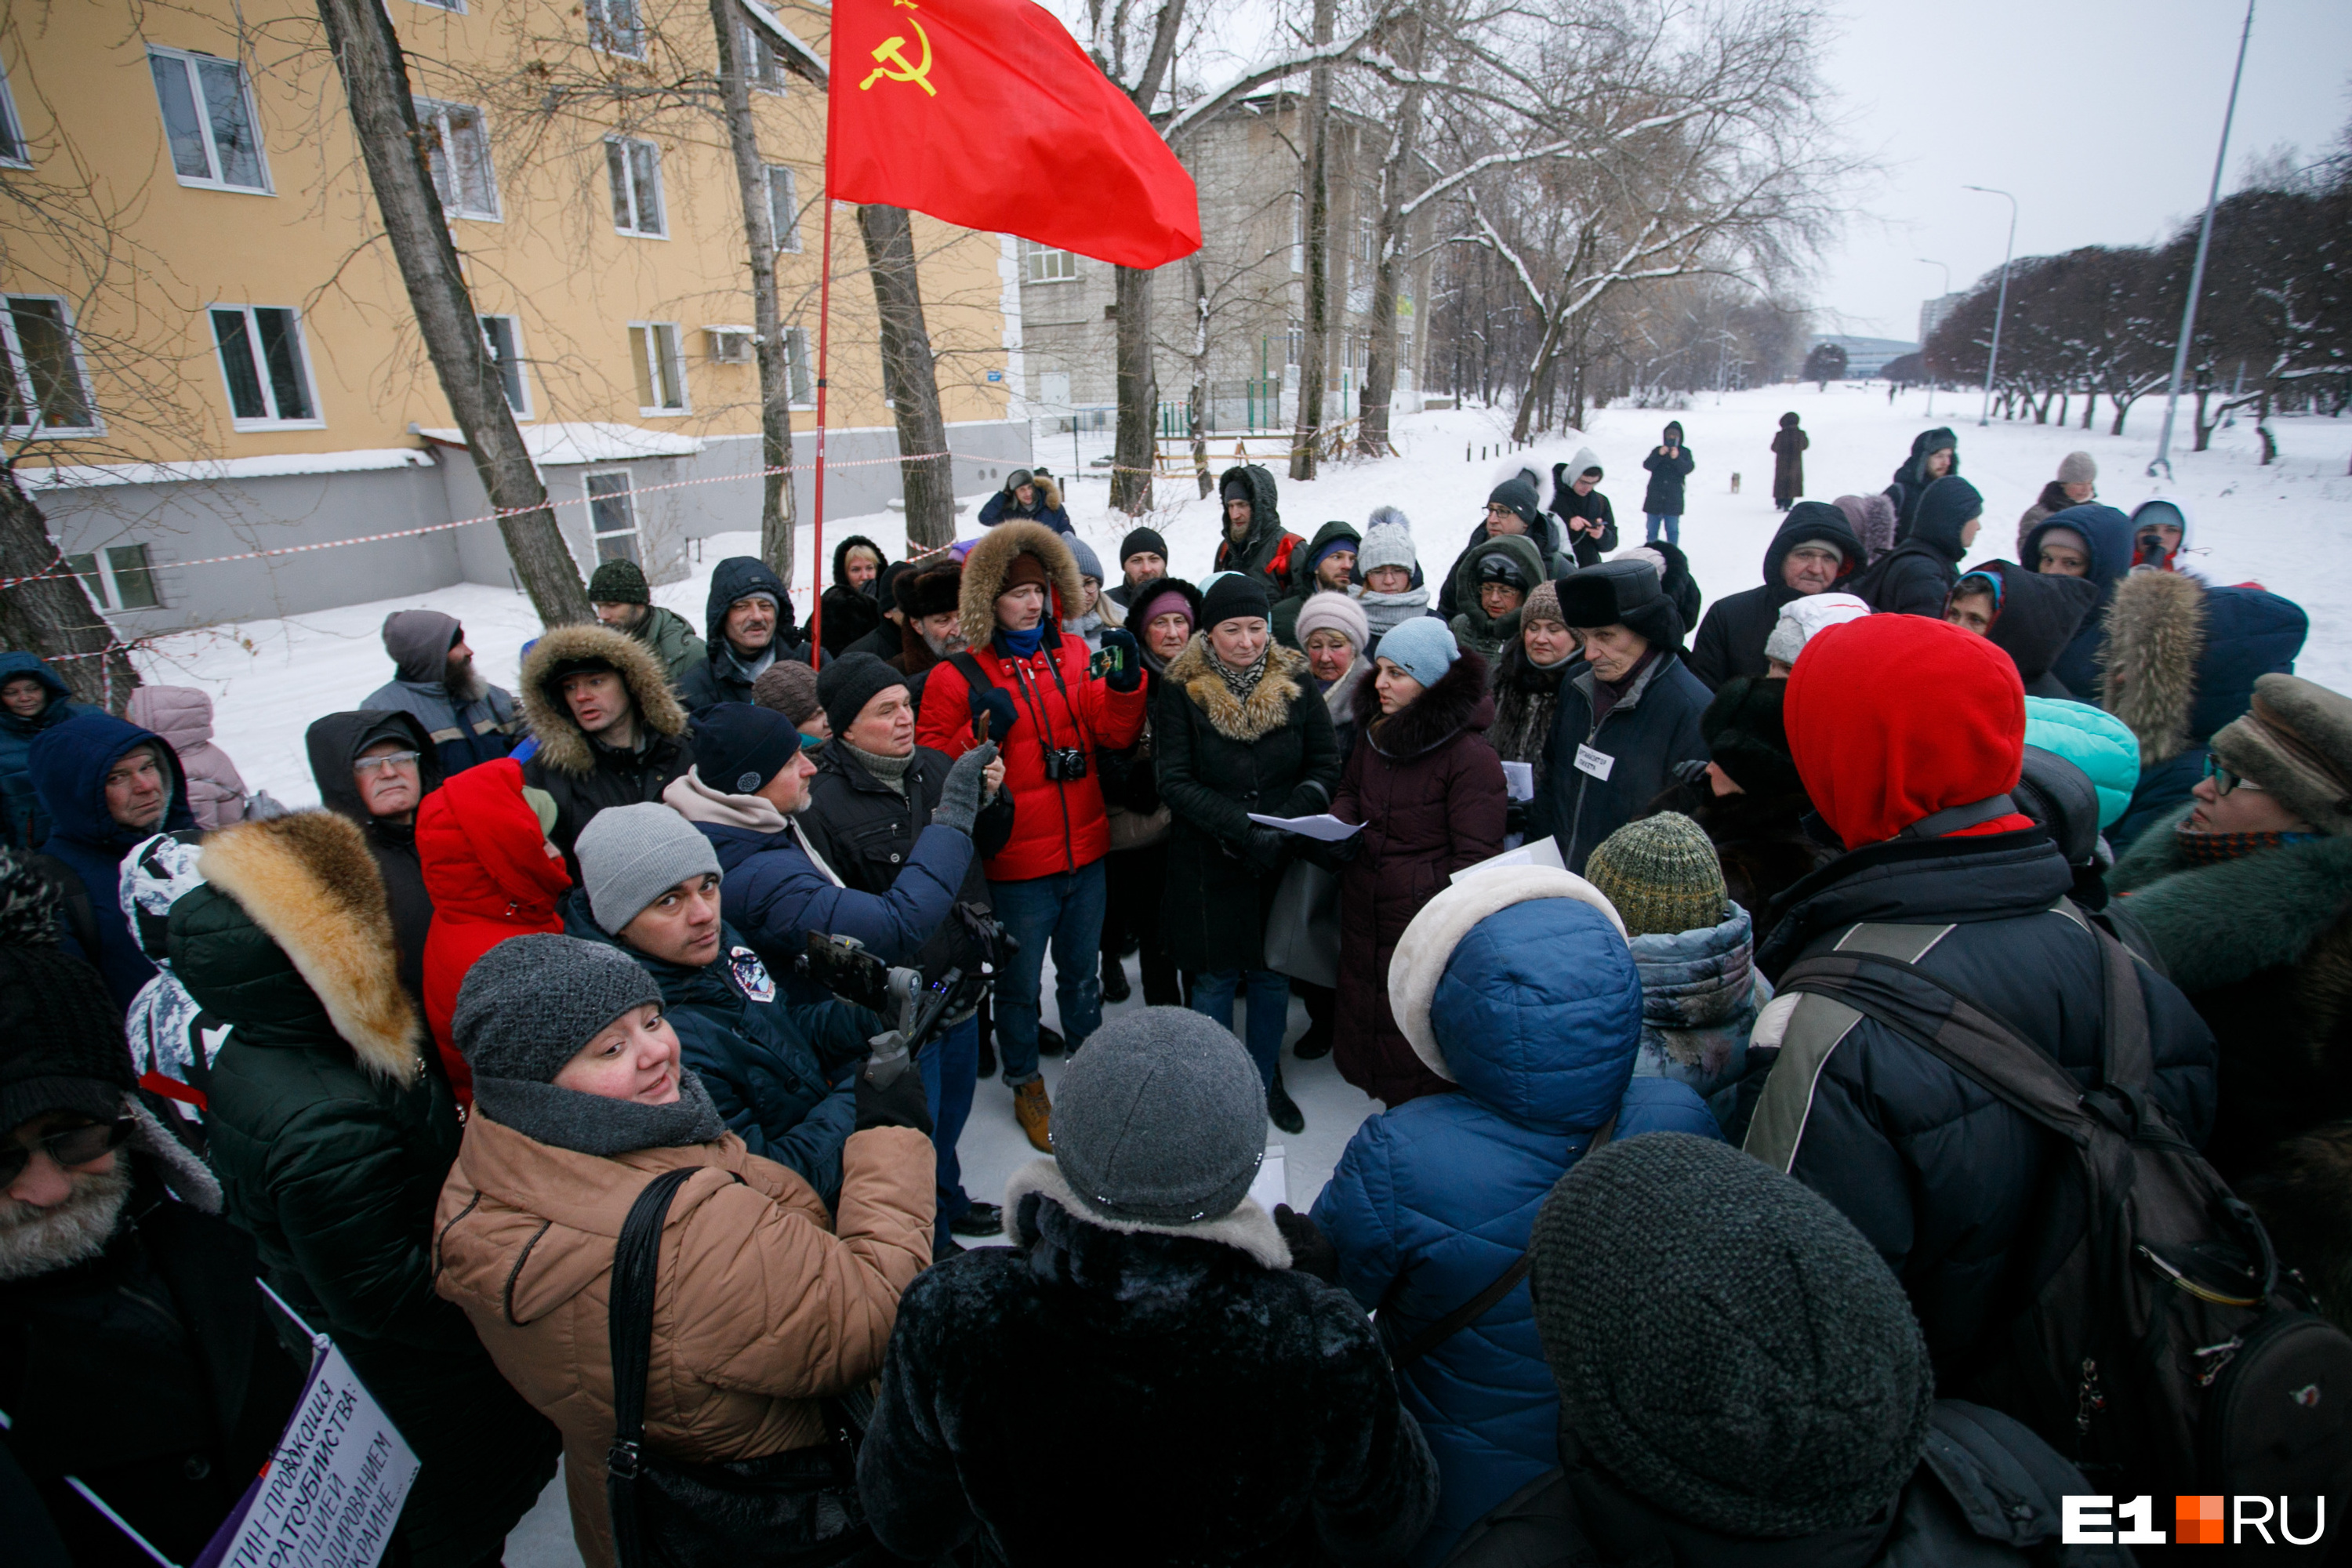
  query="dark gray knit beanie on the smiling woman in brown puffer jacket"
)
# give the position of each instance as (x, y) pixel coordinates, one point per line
(535, 1000)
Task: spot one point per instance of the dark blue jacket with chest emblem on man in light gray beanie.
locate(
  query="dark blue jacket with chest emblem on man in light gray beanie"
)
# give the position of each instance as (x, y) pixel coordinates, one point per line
(780, 1071)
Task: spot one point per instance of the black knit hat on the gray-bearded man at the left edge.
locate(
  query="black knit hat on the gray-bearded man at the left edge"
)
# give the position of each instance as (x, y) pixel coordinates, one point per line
(60, 1031)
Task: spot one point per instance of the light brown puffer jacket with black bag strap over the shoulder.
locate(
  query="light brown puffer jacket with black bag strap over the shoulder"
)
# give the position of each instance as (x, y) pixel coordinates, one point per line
(763, 1304)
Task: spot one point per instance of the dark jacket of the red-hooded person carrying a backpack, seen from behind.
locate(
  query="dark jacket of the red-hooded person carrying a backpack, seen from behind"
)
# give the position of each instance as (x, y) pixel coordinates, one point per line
(1932, 1167)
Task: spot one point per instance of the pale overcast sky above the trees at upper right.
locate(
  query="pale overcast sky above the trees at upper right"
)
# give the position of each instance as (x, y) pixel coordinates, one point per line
(2099, 116)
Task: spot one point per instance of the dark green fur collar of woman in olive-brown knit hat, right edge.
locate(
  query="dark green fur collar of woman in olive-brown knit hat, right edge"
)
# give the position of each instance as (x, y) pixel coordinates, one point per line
(2226, 923)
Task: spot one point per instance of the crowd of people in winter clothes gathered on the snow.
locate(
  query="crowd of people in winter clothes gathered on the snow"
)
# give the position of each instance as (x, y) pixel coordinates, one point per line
(1650, 1257)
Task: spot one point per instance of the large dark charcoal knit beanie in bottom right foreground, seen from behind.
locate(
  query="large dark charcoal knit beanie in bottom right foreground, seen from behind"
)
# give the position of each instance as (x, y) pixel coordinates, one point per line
(1725, 1341)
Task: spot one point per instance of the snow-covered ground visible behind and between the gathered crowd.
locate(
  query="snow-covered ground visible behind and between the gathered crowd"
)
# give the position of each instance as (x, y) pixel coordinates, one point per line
(2287, 525)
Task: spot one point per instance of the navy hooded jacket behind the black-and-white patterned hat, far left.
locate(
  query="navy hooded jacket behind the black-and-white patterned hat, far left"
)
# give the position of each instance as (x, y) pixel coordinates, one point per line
(69, 772)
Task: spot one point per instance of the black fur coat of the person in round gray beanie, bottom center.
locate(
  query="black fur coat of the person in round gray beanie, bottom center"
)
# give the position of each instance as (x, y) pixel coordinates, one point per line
(1175, 1358)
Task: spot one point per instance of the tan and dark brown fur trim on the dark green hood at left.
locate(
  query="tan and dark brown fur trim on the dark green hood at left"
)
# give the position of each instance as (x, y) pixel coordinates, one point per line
(316, 892)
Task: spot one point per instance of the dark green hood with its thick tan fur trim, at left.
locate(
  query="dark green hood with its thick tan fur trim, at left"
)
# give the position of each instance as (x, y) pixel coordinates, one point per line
(309, 885)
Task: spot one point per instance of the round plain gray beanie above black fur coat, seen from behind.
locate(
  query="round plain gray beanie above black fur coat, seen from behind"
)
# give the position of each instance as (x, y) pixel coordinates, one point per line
(1161, 1120)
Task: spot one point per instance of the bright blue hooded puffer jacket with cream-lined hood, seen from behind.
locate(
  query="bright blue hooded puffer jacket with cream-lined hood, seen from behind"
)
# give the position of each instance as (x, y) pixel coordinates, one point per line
(1438, 1198)
